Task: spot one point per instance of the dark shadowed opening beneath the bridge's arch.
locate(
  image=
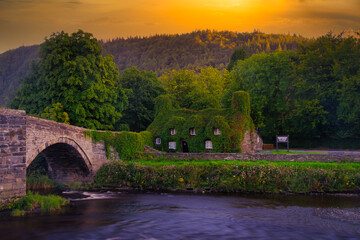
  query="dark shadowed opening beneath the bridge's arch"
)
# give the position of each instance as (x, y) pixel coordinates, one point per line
(64, 162)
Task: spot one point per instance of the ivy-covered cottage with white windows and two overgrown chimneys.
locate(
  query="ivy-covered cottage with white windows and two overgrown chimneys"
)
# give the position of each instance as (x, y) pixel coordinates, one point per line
(209, 130)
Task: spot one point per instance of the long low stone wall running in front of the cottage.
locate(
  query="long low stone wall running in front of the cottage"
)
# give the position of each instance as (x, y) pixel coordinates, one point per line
(266, 157)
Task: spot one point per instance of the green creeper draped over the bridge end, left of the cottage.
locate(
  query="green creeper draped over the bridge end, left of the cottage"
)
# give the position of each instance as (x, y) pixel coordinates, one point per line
(125, 144)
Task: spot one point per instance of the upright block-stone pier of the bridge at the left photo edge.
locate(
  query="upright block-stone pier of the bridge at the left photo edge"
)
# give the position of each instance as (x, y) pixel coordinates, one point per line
(12, 154)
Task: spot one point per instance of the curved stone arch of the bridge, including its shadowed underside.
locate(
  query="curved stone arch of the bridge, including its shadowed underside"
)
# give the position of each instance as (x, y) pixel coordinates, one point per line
(66, 160)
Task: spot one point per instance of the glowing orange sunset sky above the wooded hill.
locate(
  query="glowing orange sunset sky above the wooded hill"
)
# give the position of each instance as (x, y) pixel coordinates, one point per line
(29, 22)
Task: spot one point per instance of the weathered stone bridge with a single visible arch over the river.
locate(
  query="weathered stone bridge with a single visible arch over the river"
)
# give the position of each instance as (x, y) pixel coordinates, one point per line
(70, 155)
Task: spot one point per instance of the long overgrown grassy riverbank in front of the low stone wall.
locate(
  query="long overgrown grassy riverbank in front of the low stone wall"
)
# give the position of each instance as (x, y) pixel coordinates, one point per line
(232, 176)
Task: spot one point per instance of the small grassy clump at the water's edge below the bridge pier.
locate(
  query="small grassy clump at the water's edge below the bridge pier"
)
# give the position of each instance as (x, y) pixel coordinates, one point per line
(35, 202)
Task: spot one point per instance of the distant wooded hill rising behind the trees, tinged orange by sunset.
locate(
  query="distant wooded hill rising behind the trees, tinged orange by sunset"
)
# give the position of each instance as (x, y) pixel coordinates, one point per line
(158, 53)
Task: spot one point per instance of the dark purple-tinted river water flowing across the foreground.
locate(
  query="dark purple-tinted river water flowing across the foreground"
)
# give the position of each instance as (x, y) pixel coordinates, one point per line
(189, 216)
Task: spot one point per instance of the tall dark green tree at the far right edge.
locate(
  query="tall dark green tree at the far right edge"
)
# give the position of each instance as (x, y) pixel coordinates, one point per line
(328, 72)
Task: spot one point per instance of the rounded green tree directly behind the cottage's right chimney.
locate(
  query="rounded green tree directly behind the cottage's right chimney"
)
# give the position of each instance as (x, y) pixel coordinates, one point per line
(268, 80)
